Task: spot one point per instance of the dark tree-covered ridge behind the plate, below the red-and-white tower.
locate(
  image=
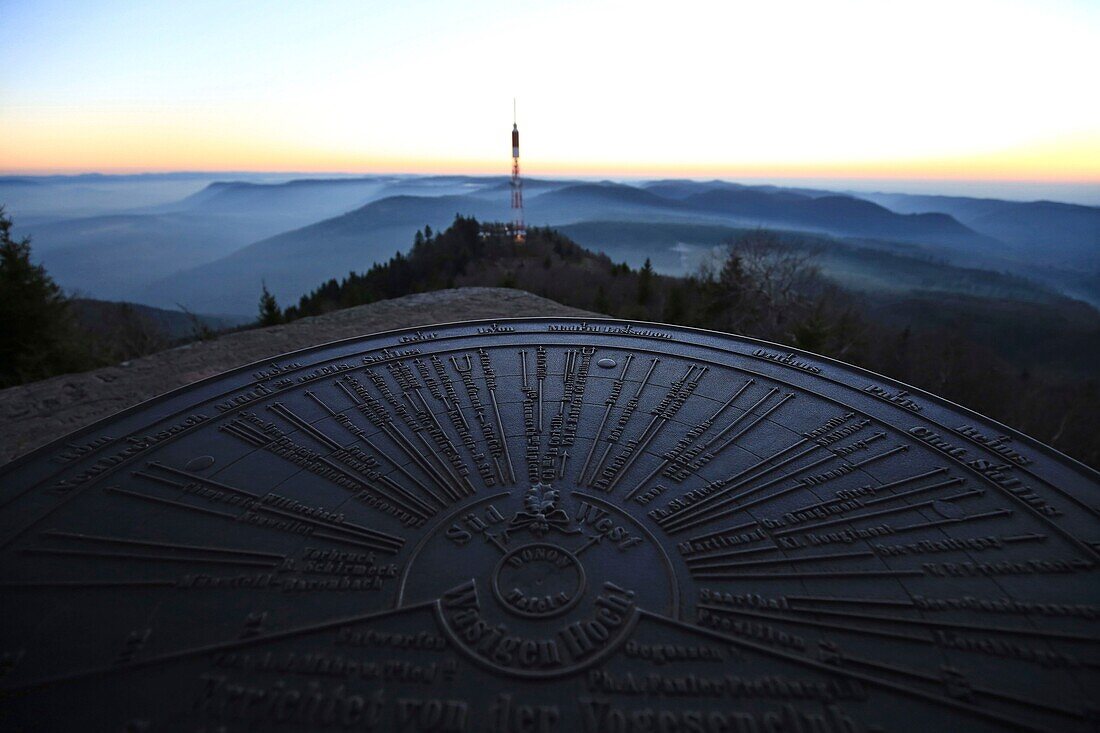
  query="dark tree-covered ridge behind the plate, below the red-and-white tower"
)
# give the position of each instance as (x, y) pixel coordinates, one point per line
(763, 286)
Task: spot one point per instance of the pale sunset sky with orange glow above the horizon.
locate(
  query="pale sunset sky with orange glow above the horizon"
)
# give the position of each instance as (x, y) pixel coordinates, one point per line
(1000, 91)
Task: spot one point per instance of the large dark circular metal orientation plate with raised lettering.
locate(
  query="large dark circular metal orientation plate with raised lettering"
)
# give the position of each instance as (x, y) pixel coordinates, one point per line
(547, 526)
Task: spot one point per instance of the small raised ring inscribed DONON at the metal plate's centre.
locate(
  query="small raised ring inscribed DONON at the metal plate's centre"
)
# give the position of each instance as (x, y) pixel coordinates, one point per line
(538, 581)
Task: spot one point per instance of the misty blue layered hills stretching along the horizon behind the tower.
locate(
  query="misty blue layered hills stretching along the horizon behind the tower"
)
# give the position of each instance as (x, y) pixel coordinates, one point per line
(212, 250)
